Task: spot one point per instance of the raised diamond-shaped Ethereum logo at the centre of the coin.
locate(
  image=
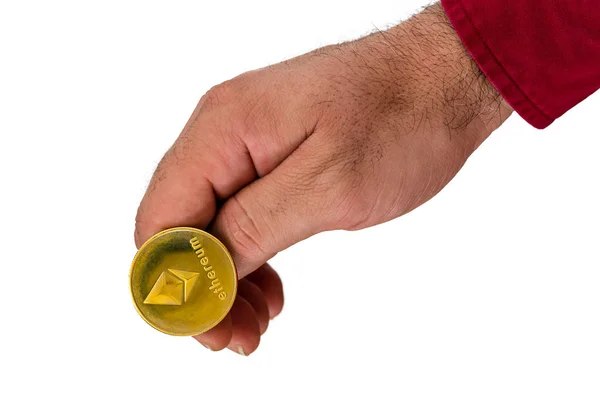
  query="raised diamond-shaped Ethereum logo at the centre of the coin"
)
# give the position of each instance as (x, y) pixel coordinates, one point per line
(173, 288)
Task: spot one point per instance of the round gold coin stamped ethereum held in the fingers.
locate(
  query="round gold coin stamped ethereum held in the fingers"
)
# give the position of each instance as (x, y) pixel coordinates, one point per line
(183, 281)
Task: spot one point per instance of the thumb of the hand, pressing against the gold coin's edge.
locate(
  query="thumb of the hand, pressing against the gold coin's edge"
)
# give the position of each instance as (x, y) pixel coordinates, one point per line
(284, 207)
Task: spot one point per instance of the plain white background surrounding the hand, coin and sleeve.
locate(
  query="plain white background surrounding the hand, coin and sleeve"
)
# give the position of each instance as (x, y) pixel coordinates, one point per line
(489, 291)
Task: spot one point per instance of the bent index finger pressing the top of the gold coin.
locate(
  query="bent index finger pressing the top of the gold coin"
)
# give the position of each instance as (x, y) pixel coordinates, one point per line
(209, 160)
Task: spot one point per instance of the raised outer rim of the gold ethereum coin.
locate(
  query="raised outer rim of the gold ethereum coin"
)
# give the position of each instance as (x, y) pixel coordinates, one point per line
(167, 231)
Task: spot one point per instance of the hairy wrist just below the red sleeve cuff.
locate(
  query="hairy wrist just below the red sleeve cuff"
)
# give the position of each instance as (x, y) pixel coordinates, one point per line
(439, 75)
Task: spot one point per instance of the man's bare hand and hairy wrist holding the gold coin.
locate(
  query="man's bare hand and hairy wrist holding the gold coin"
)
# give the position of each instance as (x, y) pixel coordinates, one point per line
(345, 137)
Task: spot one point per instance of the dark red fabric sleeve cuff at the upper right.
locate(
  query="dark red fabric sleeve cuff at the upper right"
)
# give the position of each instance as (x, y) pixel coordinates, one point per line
(543, 56)
